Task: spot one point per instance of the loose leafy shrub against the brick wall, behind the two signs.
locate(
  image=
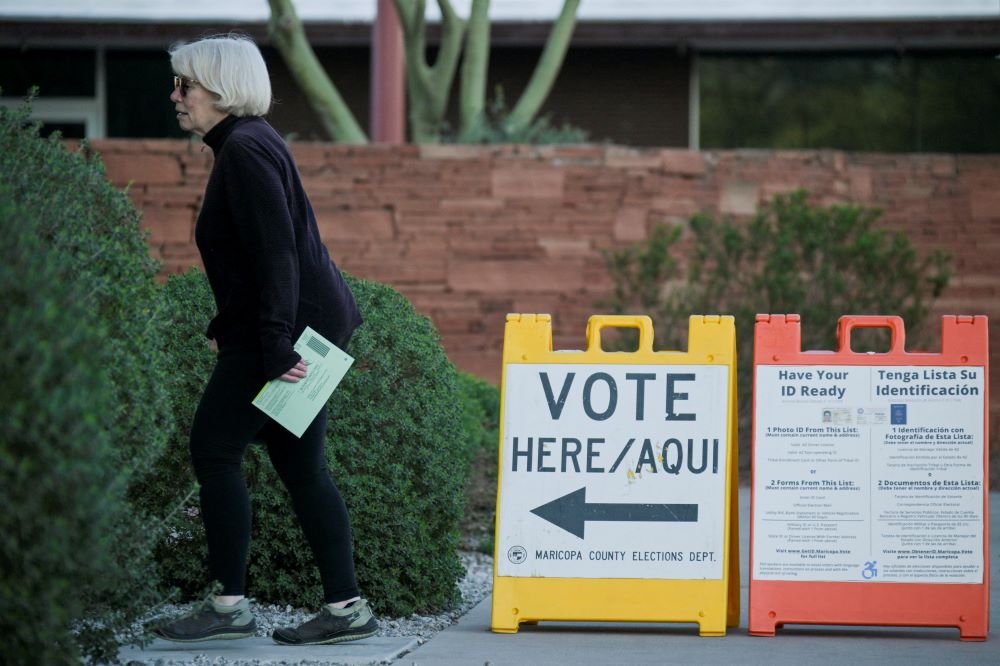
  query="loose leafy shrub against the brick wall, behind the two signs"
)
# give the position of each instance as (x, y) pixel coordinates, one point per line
(792, 257)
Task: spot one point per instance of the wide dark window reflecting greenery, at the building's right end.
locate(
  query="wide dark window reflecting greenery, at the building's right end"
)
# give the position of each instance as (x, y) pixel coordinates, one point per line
(883, 102)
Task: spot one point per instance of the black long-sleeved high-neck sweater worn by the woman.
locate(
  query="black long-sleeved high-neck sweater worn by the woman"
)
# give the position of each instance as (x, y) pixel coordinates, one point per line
(269, 272)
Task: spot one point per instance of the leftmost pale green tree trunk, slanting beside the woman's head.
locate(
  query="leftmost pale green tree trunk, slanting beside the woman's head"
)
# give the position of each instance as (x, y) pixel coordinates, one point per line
(286, 31)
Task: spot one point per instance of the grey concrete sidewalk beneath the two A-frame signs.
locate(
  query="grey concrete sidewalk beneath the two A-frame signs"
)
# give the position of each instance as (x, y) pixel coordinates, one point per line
(471, 642)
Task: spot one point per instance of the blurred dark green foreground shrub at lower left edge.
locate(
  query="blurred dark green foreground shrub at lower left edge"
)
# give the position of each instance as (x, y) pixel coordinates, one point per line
(55, 453)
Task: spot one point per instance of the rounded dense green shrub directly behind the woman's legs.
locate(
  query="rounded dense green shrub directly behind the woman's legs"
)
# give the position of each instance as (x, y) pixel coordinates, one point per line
(399, 443)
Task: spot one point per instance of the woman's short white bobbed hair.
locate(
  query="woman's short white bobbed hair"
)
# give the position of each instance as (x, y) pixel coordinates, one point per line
(230, 66)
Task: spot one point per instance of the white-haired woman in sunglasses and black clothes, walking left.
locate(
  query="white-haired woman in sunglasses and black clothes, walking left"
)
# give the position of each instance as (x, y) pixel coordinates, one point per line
(271, 277)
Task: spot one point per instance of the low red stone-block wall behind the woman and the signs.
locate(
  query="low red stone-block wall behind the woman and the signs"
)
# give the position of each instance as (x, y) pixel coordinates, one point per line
(471, 233)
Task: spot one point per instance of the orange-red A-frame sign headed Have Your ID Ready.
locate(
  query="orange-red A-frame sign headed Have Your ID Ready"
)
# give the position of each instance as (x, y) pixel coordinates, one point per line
(869, 503)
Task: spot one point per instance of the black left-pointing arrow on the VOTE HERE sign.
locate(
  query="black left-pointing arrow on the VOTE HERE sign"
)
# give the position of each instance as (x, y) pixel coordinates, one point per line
(571, 512)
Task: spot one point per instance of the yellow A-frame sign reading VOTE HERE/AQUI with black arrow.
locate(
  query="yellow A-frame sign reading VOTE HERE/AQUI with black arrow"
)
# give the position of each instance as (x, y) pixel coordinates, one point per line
(617, 492)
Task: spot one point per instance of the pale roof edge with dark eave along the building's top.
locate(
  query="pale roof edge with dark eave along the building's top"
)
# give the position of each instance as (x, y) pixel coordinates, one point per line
(708, 25)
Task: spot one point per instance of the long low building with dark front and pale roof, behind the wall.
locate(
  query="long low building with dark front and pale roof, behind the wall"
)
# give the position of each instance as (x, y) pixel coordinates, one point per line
(639, 72)
